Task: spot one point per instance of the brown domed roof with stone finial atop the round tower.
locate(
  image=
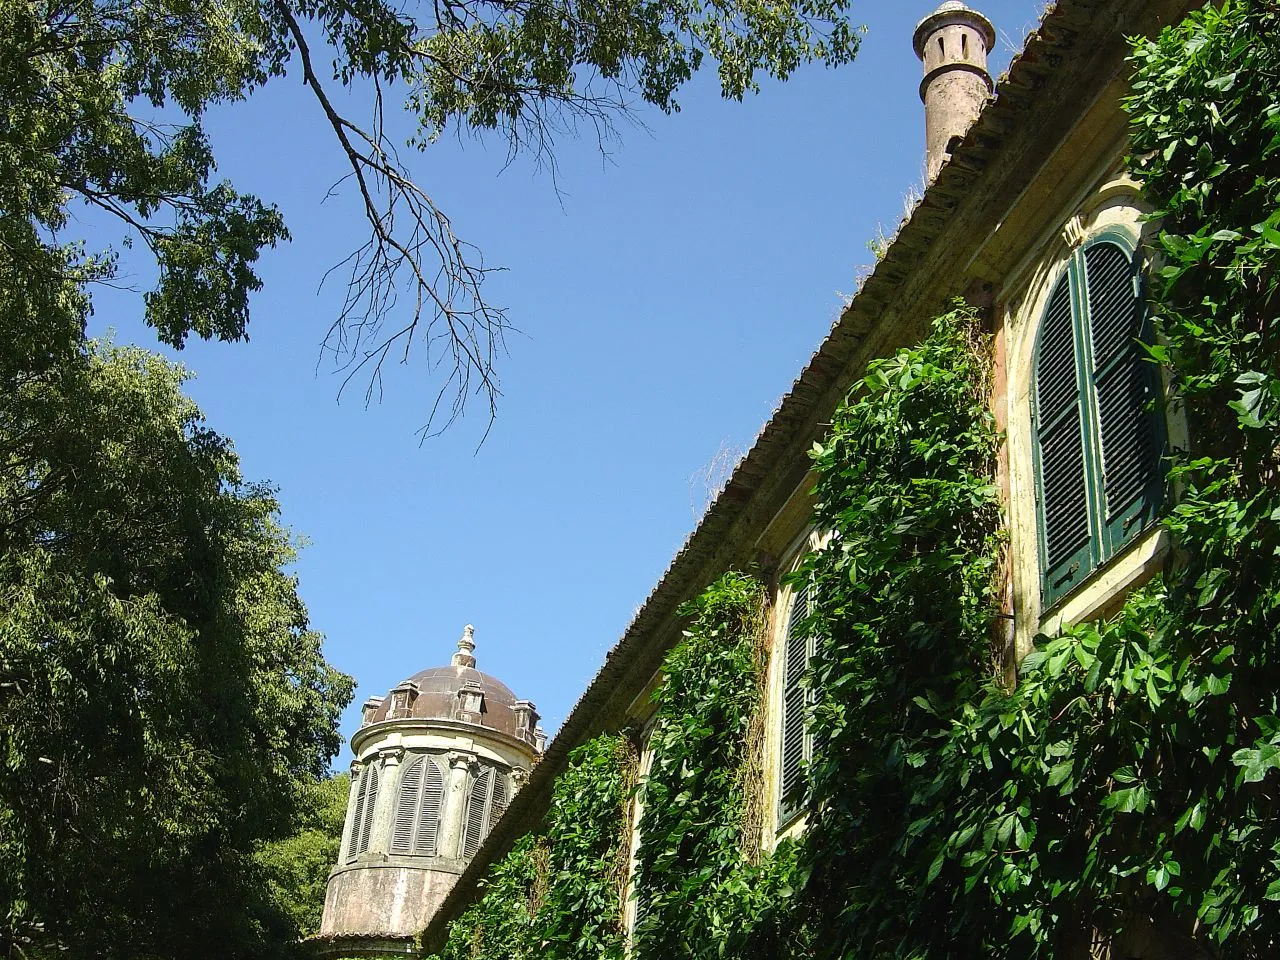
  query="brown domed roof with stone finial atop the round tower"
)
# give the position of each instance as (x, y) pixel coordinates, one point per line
(461, 694)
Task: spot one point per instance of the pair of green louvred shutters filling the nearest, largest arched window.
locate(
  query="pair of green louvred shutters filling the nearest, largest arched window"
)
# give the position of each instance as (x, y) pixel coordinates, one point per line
(1098, 424)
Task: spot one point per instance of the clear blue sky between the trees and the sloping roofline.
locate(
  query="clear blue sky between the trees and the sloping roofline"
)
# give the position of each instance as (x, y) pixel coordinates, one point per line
(668, 298)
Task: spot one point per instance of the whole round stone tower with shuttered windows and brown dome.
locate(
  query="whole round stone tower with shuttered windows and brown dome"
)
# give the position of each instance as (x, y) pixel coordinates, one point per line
(437, 762)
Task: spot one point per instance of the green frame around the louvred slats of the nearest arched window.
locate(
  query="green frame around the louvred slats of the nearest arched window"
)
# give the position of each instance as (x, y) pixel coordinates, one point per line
(1105, 541)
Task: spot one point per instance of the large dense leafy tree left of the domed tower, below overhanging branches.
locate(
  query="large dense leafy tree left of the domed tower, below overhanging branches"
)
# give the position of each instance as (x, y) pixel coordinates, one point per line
(163, 702)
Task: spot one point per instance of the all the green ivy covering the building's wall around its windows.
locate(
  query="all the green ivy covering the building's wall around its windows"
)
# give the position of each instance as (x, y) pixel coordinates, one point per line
(1124, 793)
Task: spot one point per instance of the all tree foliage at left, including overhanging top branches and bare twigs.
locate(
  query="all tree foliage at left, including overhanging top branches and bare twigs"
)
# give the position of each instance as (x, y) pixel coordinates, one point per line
(166, 711)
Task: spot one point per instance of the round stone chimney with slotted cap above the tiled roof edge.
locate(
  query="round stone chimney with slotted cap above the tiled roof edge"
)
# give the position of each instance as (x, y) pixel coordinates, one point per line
(953, 42)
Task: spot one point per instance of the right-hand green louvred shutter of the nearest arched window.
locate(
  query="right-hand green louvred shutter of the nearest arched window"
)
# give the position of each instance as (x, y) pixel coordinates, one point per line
(1126, 386)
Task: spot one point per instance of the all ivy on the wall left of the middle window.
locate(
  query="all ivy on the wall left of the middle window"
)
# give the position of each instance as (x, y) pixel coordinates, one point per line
(700, 886)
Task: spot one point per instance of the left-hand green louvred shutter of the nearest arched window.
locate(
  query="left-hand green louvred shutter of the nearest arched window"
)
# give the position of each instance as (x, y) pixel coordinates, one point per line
(1063, 491)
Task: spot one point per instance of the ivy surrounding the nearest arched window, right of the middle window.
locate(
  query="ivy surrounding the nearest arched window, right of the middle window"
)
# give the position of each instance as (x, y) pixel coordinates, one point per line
(1124, 793)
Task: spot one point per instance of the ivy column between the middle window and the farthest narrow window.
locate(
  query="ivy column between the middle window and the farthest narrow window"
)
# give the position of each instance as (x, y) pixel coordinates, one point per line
(700, 892)
